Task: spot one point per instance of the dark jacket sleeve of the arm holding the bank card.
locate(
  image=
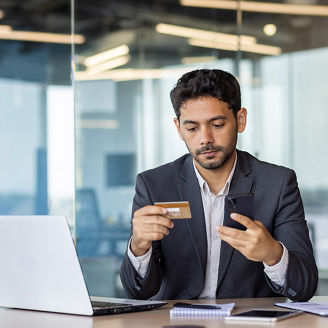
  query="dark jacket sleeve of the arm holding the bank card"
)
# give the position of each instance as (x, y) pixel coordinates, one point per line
(134, 285)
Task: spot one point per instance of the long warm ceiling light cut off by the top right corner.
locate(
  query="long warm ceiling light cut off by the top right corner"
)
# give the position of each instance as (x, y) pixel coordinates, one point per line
(261, 7)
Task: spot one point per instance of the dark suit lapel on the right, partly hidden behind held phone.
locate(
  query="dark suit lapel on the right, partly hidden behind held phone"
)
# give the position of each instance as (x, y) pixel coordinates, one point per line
(240, 184)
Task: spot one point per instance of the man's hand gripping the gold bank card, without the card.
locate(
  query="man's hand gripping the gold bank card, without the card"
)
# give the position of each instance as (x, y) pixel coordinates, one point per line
(149, 224)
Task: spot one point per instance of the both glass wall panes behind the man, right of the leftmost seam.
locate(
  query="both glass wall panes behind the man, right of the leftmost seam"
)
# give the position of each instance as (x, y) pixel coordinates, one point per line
(134, 53)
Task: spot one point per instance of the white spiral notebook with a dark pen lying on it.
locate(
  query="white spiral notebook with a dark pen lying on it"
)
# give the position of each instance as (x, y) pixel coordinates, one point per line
(197, 309)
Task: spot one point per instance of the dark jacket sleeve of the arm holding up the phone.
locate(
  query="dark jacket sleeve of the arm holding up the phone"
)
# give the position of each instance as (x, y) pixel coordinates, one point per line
(291, 229)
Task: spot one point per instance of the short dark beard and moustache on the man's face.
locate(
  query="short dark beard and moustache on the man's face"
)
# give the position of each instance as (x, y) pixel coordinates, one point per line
(226, 153)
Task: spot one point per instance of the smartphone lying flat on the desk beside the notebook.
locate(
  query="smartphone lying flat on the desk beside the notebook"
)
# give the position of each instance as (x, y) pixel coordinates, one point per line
(262, 315)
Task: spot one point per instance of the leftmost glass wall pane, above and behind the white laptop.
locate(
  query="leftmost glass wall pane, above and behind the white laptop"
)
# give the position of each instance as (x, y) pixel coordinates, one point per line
(36, 105)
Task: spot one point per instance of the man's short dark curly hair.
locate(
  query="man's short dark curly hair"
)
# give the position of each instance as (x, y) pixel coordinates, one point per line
(206, 82)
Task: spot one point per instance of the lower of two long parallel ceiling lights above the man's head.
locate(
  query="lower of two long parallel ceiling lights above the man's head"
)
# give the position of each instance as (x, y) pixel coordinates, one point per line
(254, 48)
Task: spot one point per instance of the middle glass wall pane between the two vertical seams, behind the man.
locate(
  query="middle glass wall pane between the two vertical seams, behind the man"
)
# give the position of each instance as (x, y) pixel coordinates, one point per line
(125, 70)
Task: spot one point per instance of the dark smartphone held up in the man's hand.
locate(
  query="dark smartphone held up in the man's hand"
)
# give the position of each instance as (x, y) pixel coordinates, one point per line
(238, 203)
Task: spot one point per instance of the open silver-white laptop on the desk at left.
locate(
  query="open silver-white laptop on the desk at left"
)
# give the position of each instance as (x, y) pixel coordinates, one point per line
(40, 270)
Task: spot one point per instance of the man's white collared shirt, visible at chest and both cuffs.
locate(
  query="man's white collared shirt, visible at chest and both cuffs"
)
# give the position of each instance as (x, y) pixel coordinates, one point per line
(214, 214)
